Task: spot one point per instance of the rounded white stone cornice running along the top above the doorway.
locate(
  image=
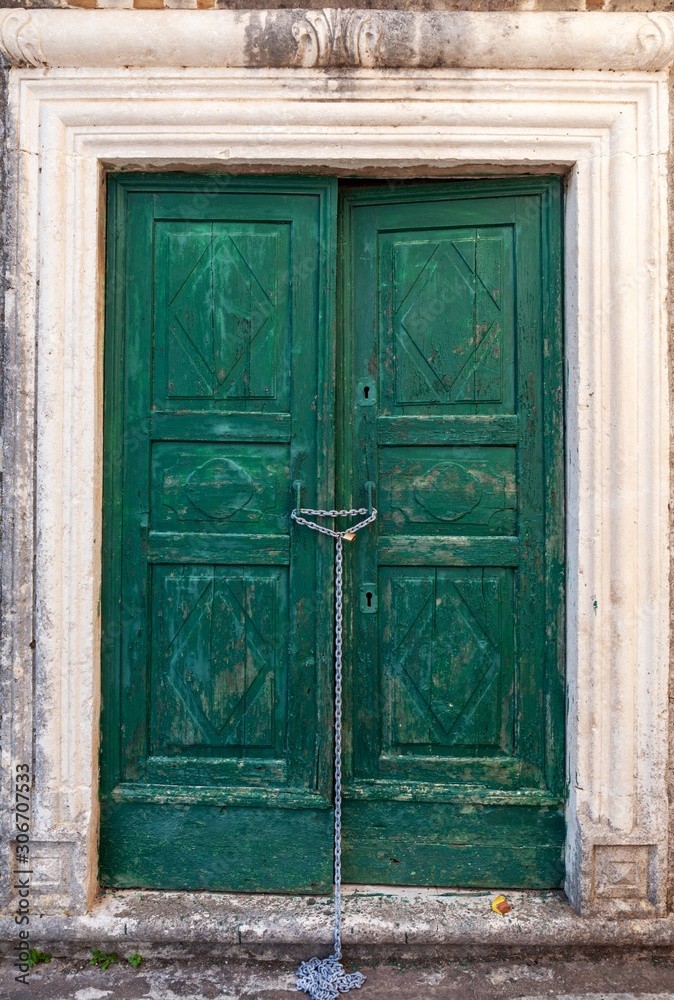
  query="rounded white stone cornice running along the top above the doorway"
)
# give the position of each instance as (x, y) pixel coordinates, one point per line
(334, 38)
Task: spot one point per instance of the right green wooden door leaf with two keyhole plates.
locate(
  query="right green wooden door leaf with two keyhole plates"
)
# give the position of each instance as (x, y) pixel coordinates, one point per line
(451, 404)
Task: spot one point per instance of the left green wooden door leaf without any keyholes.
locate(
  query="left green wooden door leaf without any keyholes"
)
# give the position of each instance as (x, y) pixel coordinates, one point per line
(216, 726)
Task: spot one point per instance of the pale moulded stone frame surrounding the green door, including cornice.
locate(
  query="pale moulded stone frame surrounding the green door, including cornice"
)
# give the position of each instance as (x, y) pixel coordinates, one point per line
(147, 94)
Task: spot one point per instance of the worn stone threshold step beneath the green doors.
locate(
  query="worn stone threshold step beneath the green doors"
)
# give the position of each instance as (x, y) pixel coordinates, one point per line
(379, 922)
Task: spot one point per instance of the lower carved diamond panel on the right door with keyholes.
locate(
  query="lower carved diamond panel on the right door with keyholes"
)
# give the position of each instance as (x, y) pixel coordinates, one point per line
(446, 656)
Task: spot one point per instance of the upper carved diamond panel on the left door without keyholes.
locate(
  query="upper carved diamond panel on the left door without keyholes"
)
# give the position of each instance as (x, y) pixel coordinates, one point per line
(221, 317)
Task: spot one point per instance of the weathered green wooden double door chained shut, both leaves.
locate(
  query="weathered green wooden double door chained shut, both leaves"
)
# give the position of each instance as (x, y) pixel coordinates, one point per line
(267, 331)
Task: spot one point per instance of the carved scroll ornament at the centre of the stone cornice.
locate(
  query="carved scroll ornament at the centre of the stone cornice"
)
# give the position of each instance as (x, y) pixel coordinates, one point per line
(336, 38)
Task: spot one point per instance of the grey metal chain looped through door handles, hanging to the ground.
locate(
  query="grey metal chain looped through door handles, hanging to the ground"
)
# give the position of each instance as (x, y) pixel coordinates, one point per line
(325, 978)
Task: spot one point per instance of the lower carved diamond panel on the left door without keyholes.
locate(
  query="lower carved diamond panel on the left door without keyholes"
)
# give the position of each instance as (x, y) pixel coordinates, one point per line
(217, 660)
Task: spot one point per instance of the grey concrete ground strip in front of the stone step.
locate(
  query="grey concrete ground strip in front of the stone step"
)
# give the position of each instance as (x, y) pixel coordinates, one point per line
(601, 979)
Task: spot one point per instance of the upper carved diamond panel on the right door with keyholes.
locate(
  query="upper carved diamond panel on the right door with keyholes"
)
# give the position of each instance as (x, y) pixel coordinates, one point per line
(451, 334)
